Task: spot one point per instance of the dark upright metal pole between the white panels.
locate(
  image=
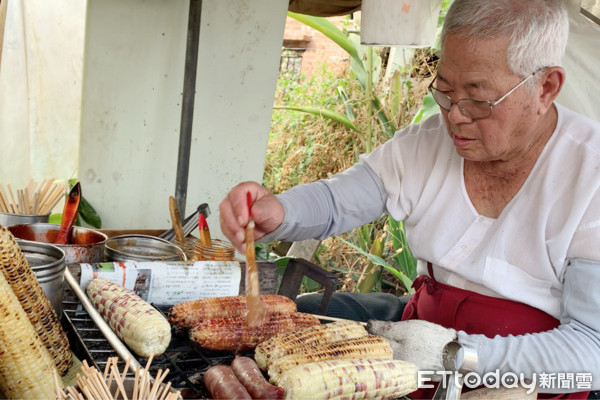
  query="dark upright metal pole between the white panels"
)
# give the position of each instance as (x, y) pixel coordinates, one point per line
(187, 105)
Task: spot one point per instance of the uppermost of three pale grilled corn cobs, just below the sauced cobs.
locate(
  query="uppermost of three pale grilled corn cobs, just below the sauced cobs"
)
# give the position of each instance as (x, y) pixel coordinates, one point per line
(289, 343)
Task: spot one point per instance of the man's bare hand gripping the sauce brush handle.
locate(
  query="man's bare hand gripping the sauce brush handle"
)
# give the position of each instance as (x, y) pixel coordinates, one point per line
(267, 213)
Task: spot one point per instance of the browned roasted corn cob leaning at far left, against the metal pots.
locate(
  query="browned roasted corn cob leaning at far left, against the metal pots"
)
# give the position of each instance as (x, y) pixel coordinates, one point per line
(41, 314)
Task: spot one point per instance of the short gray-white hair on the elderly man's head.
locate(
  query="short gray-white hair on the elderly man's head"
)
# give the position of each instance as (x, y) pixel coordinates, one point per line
(537, 29)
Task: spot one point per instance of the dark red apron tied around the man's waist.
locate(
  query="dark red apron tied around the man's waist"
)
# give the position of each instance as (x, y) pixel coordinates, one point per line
(475, 313)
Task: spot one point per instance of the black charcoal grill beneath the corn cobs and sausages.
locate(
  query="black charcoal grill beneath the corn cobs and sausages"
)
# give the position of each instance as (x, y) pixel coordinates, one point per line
(186, 362)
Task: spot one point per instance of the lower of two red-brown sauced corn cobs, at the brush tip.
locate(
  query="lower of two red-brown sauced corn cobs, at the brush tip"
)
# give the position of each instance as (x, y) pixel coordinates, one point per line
(235, 334)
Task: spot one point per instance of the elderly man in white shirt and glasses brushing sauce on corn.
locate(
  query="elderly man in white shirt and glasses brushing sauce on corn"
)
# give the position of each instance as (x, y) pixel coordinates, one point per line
(500, 195)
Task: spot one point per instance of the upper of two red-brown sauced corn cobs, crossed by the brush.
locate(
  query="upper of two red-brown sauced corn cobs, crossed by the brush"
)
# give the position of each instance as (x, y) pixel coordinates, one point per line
(190, 313)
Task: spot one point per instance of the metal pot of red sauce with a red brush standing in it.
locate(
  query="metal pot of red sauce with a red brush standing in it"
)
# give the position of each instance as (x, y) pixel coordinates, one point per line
(86, 245)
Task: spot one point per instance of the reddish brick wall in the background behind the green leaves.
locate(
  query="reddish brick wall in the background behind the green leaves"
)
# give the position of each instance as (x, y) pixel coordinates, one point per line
(319, 49)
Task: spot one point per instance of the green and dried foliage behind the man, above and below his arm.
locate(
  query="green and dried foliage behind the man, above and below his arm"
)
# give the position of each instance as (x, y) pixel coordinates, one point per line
(321, 125)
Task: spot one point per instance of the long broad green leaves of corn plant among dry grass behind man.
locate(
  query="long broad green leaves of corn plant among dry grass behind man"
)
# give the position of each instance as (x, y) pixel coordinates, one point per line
(387, 249)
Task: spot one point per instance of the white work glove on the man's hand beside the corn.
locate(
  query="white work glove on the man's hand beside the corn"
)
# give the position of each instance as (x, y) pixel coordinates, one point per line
(416, 341)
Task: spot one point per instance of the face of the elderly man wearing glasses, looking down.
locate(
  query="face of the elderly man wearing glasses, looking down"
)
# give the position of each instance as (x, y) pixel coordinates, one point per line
(478, 69)
